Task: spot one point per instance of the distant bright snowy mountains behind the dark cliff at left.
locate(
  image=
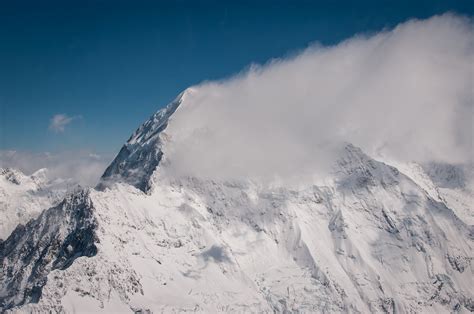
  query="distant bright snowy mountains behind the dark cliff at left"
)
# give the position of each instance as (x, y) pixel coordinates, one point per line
(23, 197)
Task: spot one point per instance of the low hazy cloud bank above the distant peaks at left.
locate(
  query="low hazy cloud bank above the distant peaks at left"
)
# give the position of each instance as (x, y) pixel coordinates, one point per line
(82, 167)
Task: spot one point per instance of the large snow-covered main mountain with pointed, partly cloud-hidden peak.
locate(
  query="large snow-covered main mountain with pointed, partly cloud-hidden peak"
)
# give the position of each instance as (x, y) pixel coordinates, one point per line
(369, 237)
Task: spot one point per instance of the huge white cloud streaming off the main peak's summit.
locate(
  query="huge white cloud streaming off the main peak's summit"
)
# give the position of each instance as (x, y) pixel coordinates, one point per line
(405, 93)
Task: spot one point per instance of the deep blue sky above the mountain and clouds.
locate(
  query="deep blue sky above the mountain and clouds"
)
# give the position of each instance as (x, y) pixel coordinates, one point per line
(114, 63)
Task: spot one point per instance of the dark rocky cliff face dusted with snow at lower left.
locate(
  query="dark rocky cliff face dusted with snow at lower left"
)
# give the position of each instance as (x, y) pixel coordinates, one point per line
(52, 241)
